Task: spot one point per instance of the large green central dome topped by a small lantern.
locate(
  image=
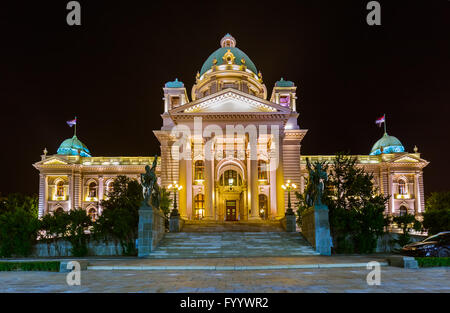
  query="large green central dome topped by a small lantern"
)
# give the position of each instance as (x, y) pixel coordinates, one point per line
(228, 43)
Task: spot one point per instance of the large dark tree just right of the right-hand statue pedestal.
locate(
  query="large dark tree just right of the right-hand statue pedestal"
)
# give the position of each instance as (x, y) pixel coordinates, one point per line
(356, 210)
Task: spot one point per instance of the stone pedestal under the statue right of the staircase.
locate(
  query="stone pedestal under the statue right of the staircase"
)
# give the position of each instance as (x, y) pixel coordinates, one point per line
(316, 228)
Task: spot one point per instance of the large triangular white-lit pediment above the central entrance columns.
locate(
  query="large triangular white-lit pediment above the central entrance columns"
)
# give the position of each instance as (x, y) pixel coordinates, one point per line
(230, 101)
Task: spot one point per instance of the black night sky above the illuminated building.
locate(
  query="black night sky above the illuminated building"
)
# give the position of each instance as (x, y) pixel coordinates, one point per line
(109, 72)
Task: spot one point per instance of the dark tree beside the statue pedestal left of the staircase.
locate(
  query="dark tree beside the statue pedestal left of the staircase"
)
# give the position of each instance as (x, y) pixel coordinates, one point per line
(120, 216)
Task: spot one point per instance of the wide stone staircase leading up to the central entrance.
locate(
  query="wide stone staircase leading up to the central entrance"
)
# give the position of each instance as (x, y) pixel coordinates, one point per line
(220, 240)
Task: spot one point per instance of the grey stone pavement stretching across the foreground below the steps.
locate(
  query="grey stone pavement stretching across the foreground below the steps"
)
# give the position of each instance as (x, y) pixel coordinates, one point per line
(315, 280)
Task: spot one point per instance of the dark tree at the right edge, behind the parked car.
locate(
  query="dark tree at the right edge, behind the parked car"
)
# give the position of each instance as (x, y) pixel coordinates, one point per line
(436, 217)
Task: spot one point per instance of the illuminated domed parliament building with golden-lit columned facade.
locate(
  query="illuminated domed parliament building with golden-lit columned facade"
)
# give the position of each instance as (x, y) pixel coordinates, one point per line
(226, 176)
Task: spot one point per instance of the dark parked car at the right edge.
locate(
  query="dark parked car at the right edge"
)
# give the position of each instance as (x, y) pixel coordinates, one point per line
(437, 246)
